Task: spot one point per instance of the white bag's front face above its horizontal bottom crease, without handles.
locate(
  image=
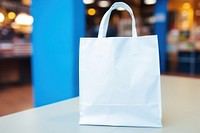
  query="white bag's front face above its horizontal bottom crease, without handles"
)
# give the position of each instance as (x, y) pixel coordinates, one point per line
(108, 67)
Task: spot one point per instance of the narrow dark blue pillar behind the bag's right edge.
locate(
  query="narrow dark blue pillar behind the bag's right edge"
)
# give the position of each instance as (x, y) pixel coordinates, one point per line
(161, 30)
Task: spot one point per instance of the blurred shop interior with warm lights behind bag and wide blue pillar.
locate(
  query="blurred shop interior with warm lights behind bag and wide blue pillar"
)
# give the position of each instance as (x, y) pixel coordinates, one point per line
(180, 45)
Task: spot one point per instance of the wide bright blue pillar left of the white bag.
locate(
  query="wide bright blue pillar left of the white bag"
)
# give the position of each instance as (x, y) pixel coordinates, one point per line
(57, 27)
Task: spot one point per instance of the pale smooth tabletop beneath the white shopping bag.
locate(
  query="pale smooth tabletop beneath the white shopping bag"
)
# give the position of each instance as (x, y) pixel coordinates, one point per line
(180, 102)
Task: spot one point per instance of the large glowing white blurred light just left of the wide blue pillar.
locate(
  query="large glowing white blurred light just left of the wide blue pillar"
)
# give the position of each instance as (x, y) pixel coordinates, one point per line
(24, 19)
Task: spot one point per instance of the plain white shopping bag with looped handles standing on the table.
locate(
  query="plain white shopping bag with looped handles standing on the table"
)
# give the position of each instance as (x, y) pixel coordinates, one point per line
(120, 78)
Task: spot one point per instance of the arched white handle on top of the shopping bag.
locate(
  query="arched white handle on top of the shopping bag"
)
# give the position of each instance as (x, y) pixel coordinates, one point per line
(104, 22)
